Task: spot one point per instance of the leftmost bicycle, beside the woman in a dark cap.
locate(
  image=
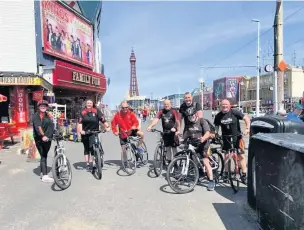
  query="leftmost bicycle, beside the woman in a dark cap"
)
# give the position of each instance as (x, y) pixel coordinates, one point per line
(61, 165)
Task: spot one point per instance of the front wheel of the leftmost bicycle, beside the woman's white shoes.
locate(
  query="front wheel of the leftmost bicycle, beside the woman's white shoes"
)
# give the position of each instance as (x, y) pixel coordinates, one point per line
(62, 171)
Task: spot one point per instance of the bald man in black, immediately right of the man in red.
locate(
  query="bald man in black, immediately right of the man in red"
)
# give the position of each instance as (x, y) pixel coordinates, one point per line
(171, 128)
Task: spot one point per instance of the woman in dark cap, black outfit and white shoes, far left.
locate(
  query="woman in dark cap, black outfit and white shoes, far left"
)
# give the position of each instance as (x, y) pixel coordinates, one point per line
(43, 127)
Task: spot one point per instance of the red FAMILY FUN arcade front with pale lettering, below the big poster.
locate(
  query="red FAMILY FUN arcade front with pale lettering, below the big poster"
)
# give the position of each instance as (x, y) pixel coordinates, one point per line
(73, 85)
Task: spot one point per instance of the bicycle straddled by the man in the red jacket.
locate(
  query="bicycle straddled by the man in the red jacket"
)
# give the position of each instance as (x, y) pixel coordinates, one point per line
(132, 155)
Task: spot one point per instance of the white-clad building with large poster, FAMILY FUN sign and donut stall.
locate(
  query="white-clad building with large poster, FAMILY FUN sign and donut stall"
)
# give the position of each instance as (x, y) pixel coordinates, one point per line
(57, 56)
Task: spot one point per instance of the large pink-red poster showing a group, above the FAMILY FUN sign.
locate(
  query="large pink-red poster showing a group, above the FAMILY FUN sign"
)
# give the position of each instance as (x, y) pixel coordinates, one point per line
(65, 35)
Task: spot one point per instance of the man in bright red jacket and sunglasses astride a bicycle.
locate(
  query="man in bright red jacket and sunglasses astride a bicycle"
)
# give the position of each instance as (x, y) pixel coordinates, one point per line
(127, 124)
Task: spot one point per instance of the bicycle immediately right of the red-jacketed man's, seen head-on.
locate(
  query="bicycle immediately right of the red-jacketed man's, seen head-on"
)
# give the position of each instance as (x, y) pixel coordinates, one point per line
(160, 151)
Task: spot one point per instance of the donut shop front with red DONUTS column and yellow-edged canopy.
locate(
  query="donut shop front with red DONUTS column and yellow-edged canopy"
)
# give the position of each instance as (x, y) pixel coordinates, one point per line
(21, 92)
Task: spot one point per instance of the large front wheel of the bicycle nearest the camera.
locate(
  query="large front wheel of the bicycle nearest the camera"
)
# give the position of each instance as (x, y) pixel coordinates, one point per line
(178, 170)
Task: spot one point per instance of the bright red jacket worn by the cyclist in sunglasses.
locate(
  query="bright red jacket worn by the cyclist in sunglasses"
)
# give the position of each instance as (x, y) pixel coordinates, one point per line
(124, 121)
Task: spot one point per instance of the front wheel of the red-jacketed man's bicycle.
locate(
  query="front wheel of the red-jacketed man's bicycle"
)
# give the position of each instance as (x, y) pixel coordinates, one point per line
(129, 160)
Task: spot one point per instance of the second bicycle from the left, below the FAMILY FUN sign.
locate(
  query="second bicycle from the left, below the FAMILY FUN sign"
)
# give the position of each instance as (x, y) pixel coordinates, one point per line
(97, 152)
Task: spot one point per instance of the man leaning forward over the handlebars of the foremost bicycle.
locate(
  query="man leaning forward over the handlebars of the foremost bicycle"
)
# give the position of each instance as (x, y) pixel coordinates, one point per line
(198, 128)
